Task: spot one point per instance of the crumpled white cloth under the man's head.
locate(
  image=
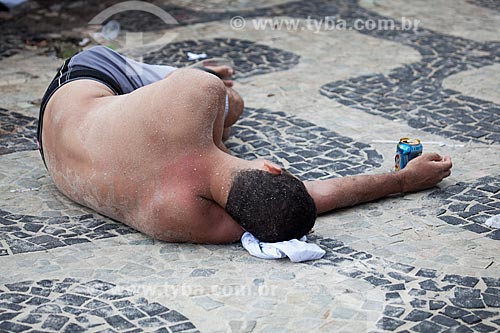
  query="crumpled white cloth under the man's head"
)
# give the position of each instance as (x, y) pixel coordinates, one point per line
(295, 249)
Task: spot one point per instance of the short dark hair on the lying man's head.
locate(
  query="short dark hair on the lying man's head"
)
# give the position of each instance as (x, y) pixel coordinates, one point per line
(272, 207)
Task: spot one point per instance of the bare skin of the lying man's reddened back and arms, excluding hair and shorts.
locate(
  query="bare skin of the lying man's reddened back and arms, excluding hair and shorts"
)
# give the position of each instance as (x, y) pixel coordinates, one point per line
(155, 159)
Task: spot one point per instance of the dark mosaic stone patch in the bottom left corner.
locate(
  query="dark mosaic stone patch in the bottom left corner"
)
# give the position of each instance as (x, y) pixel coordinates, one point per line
(70, 305)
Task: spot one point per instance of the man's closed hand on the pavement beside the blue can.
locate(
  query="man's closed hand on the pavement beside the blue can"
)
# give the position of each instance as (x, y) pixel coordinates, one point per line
(424, 172)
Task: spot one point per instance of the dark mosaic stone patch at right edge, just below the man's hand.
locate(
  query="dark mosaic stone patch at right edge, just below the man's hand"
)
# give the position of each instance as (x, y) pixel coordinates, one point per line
(469, 205)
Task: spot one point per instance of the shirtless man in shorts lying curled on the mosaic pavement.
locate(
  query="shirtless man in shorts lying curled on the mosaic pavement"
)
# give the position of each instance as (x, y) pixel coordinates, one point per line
(143, 144)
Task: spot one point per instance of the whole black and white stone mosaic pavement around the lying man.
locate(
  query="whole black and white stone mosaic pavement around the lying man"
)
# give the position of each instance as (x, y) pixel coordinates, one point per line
(330, 86)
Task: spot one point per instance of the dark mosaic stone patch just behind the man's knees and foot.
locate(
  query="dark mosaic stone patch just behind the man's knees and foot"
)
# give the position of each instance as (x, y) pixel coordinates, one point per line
(249, 58)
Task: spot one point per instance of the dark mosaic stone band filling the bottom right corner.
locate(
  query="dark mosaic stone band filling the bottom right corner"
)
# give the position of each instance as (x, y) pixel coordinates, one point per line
(419, 299)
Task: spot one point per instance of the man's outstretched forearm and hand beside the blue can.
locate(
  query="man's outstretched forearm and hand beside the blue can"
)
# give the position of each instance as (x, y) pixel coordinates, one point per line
(421, 173)
